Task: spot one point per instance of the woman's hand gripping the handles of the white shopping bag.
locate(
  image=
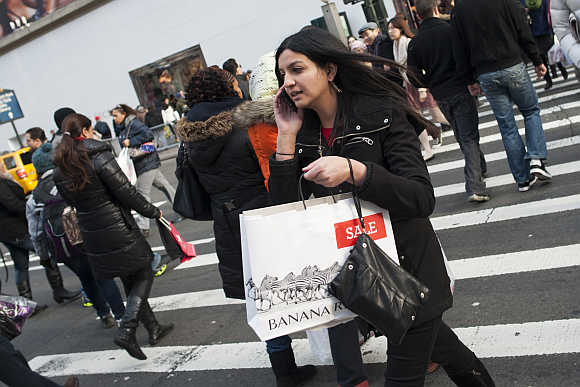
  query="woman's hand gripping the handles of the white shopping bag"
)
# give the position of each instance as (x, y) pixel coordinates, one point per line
(331, 171)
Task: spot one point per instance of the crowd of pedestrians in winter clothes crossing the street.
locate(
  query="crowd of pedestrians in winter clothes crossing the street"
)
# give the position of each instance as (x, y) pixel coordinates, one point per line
(247, 142)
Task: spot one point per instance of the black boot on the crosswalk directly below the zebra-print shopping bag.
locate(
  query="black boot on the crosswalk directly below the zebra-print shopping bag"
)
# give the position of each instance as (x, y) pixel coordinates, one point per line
(286, 371)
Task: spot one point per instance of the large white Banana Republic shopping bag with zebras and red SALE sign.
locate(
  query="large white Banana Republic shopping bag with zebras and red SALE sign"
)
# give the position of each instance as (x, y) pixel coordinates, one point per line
(290, 255)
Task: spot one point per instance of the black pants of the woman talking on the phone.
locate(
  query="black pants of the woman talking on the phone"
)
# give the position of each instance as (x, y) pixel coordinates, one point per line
(432, 340)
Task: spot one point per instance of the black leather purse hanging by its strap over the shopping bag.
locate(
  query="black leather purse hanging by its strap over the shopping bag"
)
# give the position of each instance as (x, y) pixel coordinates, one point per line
(373, 286)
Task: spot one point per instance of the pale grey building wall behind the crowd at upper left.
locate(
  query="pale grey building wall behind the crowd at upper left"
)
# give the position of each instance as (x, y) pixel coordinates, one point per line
(89, 61)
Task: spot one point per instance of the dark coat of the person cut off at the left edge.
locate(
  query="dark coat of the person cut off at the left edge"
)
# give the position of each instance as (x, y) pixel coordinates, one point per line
(12, 211)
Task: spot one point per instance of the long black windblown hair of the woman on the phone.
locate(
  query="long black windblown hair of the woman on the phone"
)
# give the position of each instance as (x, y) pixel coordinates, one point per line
(352, 76)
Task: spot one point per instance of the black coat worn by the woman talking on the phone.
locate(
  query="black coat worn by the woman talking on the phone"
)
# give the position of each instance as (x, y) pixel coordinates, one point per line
(378, 134)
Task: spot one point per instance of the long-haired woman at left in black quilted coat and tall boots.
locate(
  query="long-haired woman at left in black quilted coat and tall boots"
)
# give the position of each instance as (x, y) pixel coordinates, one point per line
(90, 180)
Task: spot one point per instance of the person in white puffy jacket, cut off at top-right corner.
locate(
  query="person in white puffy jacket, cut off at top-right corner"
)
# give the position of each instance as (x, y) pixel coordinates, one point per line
(562, 12)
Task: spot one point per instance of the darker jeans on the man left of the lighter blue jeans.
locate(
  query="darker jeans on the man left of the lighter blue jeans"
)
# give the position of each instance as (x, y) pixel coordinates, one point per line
(461, 112)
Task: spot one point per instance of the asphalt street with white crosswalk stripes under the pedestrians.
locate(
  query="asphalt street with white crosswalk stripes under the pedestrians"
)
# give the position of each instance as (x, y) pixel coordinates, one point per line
(520, 313)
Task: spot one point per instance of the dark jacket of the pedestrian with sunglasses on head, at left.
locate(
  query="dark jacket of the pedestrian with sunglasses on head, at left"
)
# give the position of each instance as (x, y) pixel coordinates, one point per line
(139, 134)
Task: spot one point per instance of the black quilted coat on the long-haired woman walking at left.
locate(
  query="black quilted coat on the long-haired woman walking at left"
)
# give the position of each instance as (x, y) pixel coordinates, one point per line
(112, 239)
